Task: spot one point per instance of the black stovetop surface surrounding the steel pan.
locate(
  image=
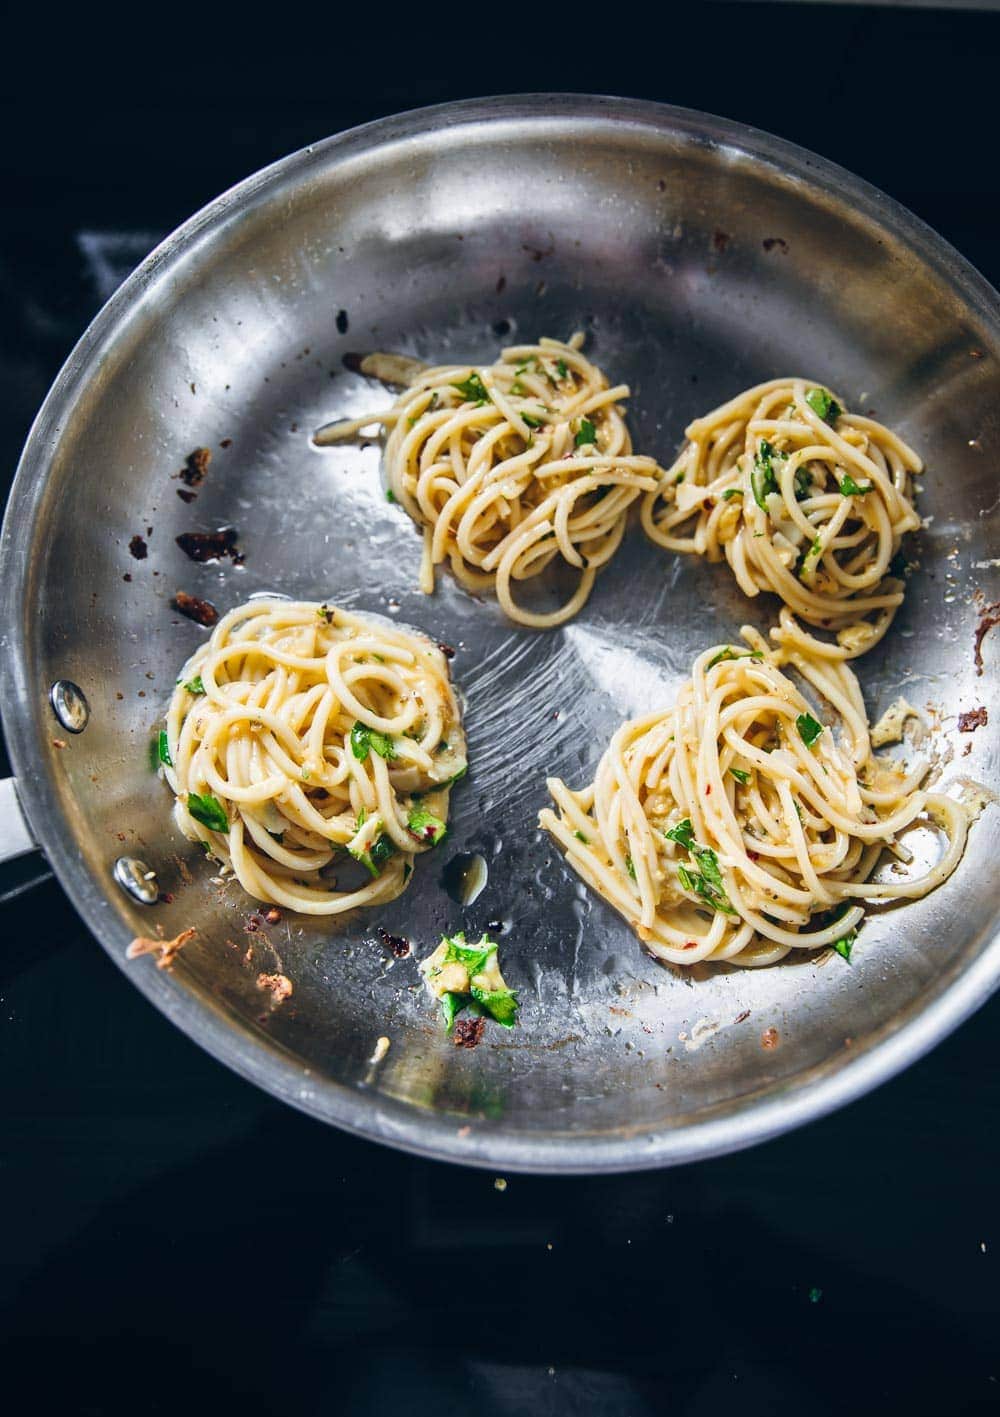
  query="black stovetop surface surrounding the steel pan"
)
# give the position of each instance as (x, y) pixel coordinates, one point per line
(175, 1241)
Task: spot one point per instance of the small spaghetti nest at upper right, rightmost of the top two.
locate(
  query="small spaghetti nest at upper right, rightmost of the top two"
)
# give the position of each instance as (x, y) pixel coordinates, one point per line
(804, 499)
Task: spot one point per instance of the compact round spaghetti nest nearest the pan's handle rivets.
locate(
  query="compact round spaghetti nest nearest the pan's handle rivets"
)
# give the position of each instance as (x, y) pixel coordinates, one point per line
(301, 738)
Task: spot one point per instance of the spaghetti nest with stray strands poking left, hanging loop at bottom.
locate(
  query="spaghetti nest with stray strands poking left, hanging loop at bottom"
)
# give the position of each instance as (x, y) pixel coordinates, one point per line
(508, 467)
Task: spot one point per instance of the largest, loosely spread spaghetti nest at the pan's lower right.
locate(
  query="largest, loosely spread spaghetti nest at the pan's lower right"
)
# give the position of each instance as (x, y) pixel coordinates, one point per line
(736, 827)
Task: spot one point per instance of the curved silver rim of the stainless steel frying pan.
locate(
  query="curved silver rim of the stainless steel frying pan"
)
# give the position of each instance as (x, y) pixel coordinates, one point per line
(742, 1123)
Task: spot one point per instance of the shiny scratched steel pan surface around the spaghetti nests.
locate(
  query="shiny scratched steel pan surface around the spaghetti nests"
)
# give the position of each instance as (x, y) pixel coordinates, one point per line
(699, 257)
